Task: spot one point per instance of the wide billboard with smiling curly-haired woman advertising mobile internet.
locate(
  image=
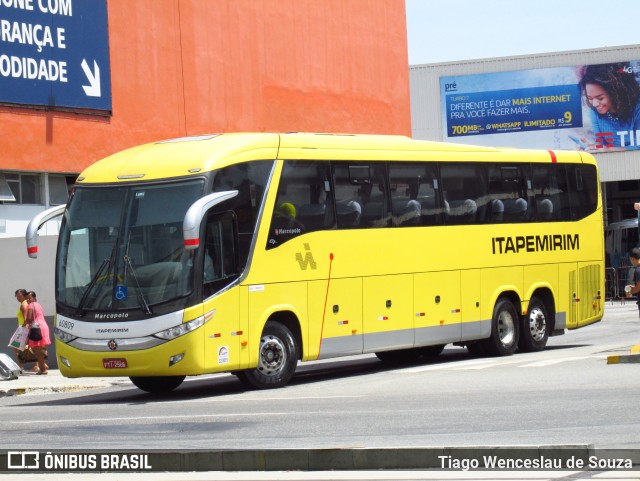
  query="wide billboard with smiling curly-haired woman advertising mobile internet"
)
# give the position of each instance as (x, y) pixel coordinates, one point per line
(591, 107)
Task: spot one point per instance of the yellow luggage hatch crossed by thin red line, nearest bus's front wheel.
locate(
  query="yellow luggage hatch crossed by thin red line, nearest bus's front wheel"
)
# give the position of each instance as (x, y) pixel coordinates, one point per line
(335, 313)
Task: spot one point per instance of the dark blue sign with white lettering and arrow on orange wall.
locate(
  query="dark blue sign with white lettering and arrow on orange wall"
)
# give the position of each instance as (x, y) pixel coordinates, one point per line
(55, 53)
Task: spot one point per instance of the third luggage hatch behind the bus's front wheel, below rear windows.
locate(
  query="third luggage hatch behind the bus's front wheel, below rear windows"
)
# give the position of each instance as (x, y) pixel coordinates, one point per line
(437, 309)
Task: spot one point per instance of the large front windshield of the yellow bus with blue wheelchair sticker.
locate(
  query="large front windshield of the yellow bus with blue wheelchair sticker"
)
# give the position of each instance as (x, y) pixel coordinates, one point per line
(122, 248)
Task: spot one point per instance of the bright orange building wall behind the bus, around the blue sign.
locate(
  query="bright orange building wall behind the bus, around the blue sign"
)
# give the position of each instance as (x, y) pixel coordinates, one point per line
(185, 67)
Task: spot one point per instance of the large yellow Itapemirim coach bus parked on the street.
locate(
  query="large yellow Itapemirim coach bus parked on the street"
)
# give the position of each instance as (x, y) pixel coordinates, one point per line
(247, 253)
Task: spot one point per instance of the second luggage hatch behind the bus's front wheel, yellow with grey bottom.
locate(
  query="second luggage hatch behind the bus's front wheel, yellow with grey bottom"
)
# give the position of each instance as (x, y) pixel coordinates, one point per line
(387, 312)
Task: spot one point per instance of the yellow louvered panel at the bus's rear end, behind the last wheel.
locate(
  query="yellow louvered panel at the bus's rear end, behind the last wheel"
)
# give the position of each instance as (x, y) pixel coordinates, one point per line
(582, 292)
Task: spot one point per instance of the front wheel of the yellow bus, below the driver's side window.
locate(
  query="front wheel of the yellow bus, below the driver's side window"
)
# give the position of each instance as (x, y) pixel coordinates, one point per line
(277, 359)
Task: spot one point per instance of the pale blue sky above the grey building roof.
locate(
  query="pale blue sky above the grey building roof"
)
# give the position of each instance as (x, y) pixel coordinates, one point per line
(450, 30)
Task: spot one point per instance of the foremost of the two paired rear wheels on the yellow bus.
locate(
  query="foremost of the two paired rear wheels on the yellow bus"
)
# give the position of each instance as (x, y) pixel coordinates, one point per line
(505, 329)
